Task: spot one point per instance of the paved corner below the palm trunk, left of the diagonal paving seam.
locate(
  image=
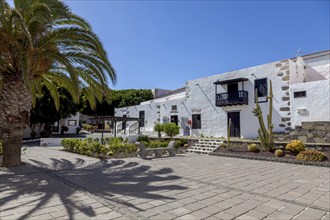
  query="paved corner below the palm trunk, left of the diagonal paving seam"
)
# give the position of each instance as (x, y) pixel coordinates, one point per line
(36, 195)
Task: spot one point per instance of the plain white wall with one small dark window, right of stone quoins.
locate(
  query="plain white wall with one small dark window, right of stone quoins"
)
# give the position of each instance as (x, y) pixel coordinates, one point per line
(315, 106)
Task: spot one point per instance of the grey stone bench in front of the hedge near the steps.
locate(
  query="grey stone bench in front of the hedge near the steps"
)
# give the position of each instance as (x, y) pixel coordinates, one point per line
(143, 152)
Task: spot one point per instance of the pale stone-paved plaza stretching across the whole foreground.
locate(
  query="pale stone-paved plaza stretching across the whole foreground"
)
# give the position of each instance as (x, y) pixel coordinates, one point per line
(59, 185)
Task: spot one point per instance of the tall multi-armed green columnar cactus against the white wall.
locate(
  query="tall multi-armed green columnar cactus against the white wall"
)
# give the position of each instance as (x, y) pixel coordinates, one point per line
(265, 135)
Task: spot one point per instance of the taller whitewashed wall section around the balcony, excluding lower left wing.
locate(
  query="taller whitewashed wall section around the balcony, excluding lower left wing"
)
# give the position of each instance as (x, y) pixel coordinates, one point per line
(214, 119)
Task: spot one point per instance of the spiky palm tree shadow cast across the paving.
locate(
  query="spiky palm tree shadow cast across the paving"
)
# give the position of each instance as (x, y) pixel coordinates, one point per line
(112, 180)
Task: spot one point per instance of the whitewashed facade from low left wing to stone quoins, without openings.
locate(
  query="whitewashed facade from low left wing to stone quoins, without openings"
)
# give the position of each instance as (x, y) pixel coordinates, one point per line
(201, 99)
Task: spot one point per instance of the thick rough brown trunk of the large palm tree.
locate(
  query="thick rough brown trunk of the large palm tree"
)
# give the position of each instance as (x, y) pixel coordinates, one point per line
(15, 106)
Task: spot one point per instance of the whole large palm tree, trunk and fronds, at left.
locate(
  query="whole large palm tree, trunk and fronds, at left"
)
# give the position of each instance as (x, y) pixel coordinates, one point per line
(43, 43)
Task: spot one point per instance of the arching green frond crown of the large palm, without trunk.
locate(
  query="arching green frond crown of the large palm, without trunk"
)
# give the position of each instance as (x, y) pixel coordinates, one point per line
(49, 45)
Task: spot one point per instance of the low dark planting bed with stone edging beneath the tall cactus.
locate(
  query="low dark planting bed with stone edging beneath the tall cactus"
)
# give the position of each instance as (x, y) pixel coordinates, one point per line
(268, 156)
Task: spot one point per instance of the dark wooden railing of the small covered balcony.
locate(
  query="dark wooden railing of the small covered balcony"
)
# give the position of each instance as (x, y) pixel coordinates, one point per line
(232, 98)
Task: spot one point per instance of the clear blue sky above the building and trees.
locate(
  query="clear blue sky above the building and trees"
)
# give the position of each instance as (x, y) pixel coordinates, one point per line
(162, 44)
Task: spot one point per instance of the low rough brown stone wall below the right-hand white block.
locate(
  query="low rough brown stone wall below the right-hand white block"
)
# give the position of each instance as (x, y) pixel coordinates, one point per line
(309, 132)
